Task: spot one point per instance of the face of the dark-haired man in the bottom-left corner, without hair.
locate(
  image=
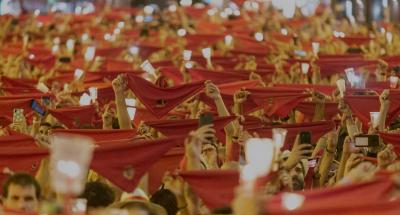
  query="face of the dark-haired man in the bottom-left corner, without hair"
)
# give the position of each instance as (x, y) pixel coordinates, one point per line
(21, 198)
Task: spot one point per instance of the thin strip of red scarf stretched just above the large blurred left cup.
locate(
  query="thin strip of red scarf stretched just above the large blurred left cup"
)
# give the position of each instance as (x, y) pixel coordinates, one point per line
(100, 134)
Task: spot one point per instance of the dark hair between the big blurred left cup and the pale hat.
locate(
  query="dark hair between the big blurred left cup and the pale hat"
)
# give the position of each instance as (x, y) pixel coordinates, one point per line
(98, 194)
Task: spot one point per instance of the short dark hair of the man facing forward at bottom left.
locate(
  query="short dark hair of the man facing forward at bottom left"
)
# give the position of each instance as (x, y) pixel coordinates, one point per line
(21, 179)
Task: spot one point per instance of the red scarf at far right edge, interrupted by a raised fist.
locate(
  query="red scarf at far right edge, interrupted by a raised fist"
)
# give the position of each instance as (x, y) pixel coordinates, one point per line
(361, 106)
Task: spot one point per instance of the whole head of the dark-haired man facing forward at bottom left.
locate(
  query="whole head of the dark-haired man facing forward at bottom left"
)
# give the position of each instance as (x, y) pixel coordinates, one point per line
(21, 192)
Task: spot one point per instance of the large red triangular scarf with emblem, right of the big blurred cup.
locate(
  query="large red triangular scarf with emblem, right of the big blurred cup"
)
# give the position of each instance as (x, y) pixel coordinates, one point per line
(115, 161)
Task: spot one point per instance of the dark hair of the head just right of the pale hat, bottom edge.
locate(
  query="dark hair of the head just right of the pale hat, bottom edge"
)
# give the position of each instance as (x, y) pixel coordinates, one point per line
(166, 199)
